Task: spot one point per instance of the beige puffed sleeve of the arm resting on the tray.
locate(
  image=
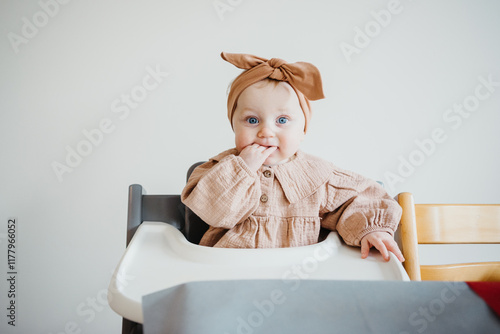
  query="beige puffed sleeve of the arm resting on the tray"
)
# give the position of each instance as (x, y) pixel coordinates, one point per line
(357, 206)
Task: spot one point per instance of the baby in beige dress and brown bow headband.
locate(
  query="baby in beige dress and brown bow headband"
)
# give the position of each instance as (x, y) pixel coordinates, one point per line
(266, 192)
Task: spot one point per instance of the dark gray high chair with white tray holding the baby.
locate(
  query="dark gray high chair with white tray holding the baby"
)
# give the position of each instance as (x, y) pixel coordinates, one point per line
(163, 251)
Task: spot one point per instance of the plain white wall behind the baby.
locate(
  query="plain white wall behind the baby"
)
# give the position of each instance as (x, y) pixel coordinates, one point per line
(68, 75)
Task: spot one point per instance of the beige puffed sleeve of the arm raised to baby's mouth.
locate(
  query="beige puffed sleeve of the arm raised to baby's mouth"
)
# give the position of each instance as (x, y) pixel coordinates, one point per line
(222, 193)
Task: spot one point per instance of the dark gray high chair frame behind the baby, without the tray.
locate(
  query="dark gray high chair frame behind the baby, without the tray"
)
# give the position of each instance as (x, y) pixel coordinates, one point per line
(162, 208)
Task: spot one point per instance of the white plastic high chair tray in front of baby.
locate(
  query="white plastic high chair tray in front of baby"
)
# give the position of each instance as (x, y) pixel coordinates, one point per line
(159, 257)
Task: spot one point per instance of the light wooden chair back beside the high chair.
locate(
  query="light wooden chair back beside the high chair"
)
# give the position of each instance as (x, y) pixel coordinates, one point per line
(448, 224)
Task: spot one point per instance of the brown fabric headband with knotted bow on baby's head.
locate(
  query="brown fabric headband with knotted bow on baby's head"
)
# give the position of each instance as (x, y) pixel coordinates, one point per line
(303, 77)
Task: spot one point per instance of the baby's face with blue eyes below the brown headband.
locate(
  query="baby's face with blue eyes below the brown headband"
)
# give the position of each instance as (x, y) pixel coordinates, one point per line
(269, 115)
